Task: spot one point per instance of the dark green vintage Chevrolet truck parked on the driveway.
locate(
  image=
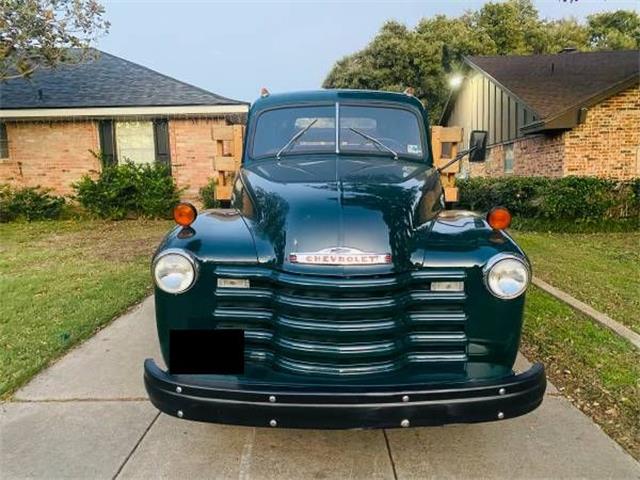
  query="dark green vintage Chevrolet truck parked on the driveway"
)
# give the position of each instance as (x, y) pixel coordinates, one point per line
(338, 291)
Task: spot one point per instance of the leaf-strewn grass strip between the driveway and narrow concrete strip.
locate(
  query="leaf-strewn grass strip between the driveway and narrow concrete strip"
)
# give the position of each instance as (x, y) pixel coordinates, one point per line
(592, 366)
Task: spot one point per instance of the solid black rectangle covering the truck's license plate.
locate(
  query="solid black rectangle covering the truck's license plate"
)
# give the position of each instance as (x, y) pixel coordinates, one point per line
(219, 352)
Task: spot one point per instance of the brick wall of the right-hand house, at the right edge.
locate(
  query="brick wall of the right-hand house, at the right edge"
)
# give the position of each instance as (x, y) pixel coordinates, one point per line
(608, 143)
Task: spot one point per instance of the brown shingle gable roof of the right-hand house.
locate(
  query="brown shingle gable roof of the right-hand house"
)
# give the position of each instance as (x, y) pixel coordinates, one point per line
(557, 86)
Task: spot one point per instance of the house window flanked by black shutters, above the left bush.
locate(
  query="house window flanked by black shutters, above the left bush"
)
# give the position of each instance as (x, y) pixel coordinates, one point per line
(134, 141)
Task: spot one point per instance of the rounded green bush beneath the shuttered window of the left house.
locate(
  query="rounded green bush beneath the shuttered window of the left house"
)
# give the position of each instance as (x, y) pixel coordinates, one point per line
(128, 191)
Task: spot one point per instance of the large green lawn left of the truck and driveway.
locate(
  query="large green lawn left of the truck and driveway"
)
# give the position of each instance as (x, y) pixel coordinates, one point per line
(61, 282)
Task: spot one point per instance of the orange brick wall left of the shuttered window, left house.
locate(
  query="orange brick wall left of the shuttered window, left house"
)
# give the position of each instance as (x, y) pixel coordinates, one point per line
(49, 154)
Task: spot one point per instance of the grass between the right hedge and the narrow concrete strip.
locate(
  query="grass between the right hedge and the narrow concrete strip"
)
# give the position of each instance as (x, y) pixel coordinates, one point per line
(600, 269)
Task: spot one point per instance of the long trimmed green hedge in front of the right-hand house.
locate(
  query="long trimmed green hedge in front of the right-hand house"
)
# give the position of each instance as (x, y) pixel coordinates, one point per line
(545, 202)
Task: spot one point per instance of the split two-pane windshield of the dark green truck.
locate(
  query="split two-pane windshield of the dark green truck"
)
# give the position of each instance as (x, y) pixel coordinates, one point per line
(385, 131)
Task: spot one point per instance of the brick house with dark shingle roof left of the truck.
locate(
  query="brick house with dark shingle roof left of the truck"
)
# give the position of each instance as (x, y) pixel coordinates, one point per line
(54, 124)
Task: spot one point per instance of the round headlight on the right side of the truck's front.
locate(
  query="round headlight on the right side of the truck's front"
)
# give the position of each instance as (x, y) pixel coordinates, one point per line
(507, 276)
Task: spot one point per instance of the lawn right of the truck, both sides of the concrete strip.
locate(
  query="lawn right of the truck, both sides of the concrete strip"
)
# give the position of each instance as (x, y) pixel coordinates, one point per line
(595, 368)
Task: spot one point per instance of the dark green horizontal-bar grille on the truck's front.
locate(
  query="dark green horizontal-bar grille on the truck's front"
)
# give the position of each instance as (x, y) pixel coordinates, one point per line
(344, 326)
